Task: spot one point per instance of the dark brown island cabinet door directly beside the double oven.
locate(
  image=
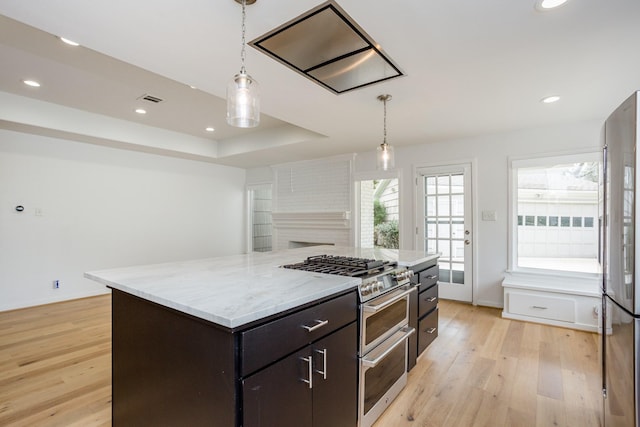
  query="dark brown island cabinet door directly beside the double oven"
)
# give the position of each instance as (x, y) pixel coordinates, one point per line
(335, 399)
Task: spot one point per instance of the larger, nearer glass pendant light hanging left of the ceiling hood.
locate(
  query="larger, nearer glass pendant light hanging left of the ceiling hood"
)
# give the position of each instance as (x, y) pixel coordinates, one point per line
(243, 97)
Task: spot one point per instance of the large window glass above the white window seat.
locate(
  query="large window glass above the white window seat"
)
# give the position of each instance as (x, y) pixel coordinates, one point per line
(554, 205)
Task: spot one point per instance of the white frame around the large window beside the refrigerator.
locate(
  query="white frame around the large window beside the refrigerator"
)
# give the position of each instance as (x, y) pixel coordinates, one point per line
(541, 160)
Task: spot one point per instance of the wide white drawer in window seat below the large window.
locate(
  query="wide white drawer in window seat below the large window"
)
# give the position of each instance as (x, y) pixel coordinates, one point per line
(545, 307)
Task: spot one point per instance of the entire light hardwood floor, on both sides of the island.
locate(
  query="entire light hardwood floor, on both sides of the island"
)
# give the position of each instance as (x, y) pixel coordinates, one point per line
(482, 370)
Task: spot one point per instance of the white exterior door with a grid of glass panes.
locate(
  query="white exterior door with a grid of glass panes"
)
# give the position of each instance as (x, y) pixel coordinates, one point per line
(445, 226)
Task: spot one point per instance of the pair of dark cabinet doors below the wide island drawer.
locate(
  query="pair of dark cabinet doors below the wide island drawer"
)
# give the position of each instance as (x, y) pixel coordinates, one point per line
(316, 386)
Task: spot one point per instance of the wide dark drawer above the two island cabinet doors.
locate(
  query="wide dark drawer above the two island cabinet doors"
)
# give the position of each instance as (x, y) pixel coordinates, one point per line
(267, 343)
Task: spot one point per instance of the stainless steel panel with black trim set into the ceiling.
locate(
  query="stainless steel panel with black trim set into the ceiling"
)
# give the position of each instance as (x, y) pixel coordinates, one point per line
(328, 47)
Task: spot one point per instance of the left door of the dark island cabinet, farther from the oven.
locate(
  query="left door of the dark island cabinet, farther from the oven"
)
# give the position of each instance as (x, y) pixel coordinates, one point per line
(278, 395)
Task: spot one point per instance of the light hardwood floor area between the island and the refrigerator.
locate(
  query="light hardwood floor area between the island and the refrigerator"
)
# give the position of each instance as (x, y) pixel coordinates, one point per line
(500, 372)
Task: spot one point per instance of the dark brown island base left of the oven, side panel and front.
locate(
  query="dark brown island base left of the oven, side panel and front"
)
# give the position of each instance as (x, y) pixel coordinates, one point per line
(173, 369)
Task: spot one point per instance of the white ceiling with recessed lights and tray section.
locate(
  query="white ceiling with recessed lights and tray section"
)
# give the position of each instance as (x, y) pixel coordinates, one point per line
(472, 67)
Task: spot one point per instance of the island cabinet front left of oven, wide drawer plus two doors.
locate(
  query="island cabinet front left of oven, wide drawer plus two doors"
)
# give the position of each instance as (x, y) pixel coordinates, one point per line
(314, 386)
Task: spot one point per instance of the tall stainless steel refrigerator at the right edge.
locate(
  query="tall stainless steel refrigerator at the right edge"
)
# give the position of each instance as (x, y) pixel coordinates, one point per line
(620, 289)
